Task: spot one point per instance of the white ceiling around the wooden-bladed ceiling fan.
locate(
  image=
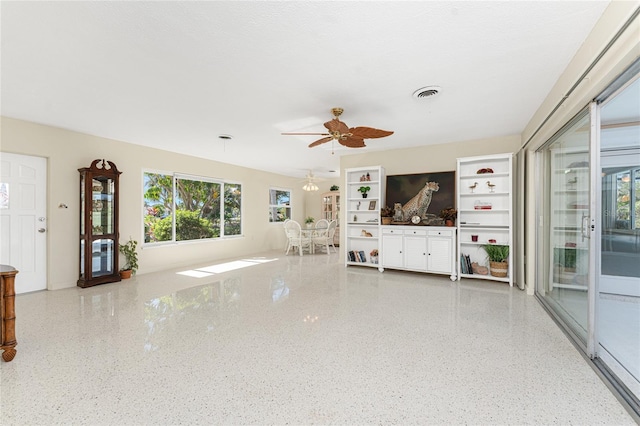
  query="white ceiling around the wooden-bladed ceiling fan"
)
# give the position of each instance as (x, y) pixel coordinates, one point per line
(175, 75)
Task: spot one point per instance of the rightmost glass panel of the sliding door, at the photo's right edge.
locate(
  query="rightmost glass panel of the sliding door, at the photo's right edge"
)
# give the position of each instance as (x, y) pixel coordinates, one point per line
(618, 277)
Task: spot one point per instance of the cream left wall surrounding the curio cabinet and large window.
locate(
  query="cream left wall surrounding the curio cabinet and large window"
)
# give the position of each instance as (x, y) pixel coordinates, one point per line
(67, 151)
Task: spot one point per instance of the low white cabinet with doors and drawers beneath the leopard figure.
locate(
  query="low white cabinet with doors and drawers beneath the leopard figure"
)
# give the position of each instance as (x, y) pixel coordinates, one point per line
(419, 248)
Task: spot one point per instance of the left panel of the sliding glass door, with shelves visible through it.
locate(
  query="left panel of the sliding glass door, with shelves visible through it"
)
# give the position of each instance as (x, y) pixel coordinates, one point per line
(567, 231)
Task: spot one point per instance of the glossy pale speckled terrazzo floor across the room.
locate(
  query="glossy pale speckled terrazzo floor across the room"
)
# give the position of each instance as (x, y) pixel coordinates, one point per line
(296, 340)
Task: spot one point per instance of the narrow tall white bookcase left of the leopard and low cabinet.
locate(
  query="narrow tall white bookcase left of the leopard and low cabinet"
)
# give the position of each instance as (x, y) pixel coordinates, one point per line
(362, 215)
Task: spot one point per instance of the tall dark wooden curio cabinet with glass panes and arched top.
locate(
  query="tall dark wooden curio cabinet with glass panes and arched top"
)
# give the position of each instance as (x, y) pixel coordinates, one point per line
(99, 224)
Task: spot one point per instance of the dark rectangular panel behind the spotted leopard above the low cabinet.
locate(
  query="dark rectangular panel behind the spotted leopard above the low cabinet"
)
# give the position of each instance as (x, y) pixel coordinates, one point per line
(402, 188)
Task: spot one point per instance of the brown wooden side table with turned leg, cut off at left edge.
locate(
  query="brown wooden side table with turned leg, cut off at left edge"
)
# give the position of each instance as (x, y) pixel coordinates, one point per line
(8, 312)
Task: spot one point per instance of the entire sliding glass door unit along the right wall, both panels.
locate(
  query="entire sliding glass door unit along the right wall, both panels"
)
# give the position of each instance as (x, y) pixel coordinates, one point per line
(589, 231)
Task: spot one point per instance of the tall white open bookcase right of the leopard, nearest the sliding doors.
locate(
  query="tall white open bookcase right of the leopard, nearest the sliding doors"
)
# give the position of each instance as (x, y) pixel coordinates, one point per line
(485, 211)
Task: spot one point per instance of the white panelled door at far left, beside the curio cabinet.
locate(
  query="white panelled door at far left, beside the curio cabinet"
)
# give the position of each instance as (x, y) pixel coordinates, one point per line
(23, 221)
